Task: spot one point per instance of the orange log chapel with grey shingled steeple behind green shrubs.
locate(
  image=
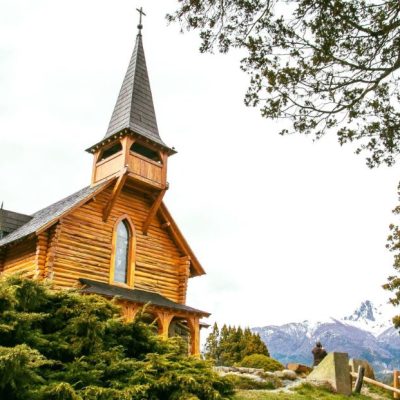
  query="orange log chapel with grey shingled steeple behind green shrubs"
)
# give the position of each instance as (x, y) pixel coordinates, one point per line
(115, 237)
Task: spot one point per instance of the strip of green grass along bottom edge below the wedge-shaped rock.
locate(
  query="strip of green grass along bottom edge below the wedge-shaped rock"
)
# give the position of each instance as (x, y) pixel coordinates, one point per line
(304, 392)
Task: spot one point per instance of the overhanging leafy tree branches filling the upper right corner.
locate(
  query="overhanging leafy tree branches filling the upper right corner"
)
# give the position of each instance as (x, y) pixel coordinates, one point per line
(322, 64)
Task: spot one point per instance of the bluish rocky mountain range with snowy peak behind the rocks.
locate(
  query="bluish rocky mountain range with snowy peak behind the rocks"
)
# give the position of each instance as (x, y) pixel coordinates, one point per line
(367, 333)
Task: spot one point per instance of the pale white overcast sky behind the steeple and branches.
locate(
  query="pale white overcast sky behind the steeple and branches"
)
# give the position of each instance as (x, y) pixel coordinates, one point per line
(286, 229)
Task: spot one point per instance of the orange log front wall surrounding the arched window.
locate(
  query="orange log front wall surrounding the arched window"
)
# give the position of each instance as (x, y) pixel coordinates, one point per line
(83, 247)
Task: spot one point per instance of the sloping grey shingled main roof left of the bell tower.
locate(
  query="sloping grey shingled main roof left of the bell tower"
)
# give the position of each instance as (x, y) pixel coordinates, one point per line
(45, 216)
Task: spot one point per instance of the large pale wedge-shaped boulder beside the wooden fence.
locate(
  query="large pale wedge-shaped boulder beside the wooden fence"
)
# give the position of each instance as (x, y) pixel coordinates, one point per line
(334, 369)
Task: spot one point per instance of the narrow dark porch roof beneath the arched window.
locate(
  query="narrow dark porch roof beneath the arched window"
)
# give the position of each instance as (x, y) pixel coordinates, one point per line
(136, 295)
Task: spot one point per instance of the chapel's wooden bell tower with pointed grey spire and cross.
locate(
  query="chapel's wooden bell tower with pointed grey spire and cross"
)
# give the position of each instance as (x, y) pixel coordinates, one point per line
(132, 147)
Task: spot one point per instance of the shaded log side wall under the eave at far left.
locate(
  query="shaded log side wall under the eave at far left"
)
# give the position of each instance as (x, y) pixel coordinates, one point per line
(20, 258)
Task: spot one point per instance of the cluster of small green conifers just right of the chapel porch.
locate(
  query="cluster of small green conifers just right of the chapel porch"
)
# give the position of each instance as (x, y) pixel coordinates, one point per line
(231, 344)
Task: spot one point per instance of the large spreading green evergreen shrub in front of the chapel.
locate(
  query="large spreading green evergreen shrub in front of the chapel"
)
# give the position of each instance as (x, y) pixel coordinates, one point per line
(59, 345)
